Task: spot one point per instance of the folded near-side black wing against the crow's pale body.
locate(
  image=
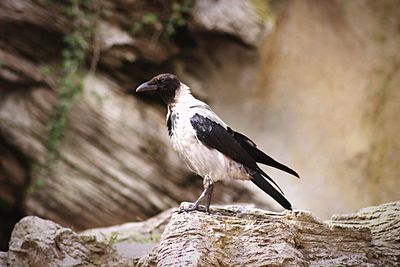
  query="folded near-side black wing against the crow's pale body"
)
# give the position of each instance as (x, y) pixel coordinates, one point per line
(216, 136)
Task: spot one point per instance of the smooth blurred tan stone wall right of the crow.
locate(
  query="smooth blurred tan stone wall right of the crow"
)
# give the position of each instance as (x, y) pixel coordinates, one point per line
(321, 95)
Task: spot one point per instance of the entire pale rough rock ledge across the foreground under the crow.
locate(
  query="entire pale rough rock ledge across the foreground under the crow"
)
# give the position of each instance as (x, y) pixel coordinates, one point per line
(230, 236)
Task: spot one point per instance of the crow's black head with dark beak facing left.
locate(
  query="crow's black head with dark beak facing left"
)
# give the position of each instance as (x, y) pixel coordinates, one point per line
(164, 84)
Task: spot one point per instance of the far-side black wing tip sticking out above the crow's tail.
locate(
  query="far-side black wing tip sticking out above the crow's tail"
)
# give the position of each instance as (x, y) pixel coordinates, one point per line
(258, 155)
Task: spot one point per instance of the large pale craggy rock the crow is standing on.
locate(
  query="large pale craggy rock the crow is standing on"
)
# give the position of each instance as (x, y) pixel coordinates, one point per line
(236, 236)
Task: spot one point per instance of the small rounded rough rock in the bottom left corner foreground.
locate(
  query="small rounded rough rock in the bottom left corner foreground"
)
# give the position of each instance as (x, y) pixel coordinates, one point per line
(38, 242)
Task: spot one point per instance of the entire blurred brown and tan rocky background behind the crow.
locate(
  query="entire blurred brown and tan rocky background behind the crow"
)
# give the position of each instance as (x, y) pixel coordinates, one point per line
(314, 83)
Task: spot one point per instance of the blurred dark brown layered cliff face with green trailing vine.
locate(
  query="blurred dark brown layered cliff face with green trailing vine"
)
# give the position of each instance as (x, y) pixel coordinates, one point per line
(115, 163)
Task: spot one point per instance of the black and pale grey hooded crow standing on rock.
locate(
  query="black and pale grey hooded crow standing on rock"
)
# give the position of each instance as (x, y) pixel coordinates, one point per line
(208, 146)
